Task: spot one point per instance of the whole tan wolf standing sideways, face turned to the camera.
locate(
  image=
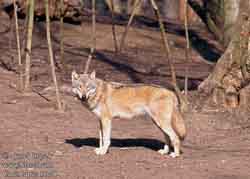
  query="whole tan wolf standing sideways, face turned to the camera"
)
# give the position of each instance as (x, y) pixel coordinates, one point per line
(110, 99)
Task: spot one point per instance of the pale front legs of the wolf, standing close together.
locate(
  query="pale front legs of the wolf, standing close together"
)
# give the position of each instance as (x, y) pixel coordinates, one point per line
(105, 135)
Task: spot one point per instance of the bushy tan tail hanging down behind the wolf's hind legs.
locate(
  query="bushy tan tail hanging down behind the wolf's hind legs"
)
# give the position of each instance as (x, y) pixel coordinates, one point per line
(178, 124)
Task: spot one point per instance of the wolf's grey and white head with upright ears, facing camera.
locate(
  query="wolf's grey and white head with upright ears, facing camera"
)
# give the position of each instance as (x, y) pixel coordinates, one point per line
(84, 85)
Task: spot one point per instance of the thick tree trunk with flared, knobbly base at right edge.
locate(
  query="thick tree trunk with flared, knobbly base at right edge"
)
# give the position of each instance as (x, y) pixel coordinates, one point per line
(229, 81)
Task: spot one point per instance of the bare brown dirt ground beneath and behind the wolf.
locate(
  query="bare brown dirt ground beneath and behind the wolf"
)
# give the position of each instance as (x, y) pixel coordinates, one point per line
(36, 141)
